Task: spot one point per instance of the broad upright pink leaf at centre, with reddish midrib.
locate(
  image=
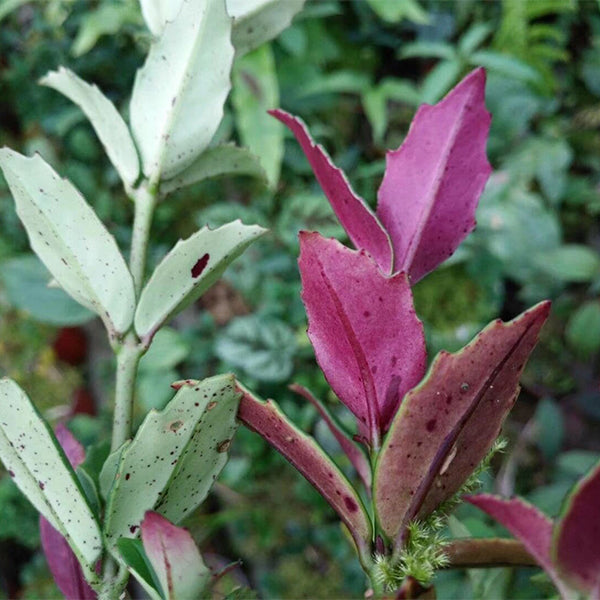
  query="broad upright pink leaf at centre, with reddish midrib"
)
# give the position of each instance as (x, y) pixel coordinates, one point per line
(363, 327)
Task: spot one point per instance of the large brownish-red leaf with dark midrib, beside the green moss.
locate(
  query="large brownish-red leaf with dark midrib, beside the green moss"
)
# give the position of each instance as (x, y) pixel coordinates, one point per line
(446, 425)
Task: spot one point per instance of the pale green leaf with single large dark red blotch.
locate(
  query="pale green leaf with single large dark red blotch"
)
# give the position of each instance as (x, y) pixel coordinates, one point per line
(188, 270)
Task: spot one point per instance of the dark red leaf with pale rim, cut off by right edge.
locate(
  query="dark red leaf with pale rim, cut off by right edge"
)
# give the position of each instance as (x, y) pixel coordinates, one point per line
(577, 534)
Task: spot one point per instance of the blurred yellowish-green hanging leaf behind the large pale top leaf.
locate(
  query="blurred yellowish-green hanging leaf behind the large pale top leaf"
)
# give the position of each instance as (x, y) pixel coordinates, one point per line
(255, 91)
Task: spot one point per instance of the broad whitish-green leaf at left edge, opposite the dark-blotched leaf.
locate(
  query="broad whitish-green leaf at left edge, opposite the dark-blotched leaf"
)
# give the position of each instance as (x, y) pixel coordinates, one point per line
(65, 232)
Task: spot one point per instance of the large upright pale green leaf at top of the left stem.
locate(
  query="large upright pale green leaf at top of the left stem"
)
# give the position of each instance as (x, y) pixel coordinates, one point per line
(179, 93)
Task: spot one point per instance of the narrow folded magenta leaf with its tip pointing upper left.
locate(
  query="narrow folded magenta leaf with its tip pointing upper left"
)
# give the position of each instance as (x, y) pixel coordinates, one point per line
(361, 224)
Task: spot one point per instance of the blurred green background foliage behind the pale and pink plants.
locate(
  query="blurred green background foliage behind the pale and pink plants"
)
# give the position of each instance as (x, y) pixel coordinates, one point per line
(355, 71)
